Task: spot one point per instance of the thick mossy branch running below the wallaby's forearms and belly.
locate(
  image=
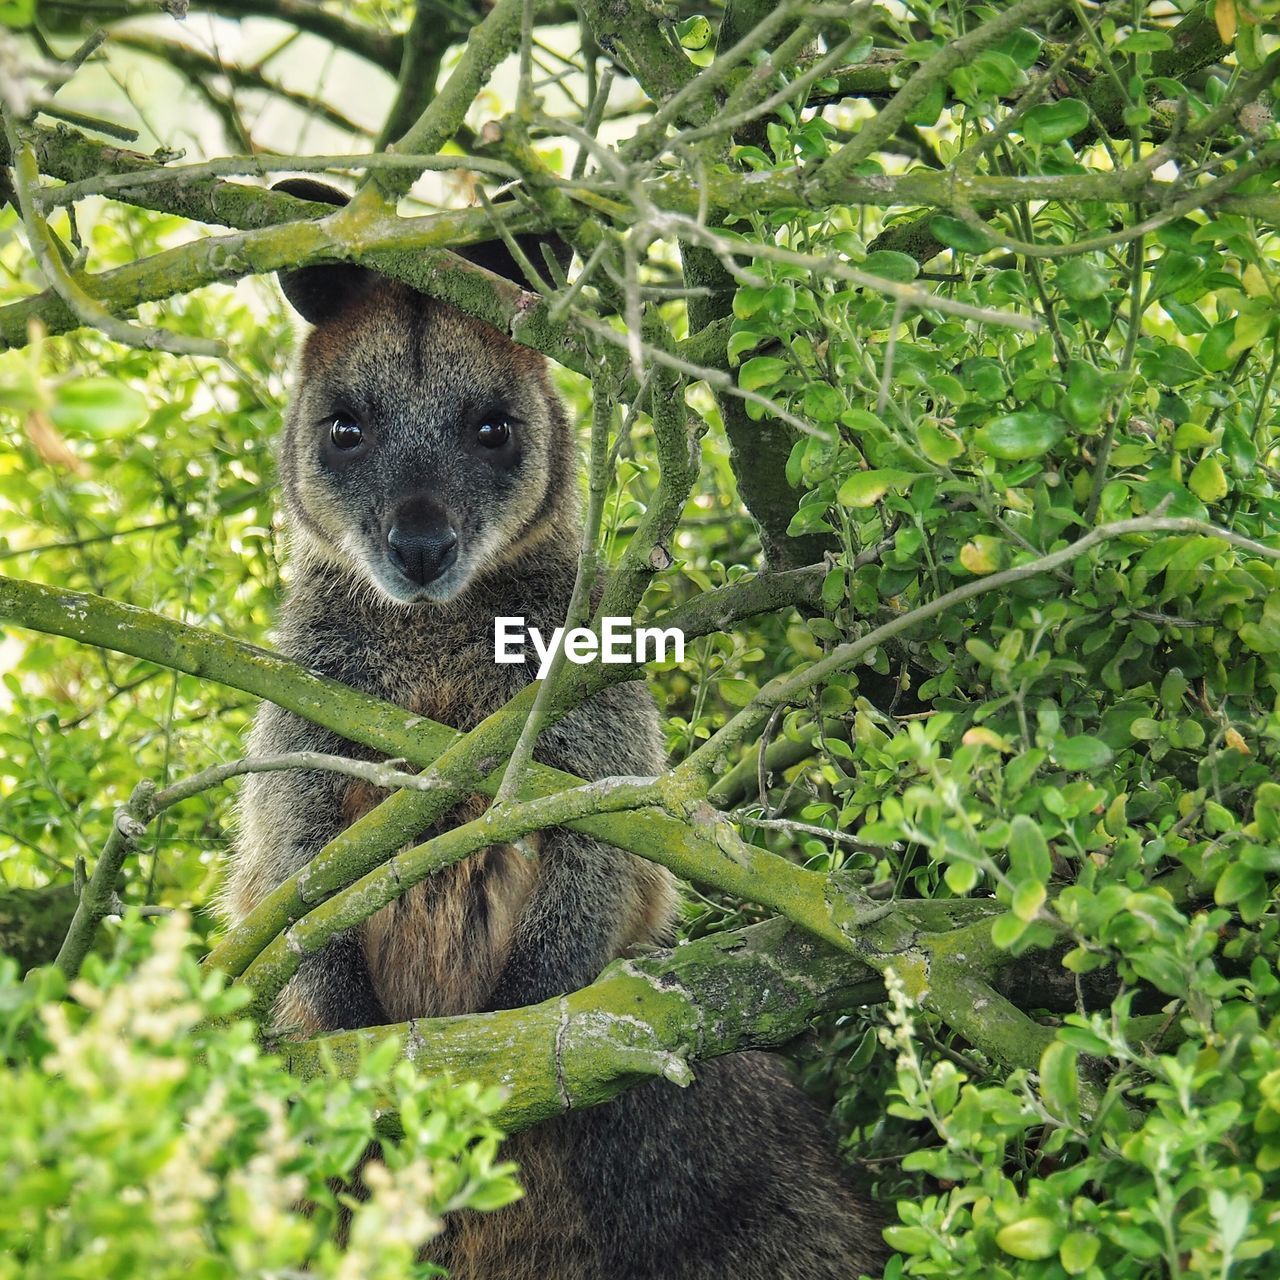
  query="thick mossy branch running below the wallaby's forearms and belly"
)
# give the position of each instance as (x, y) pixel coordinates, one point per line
(651, 1017)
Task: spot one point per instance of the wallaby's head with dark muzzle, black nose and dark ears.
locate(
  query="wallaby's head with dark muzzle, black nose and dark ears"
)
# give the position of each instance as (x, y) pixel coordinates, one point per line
(422, 447)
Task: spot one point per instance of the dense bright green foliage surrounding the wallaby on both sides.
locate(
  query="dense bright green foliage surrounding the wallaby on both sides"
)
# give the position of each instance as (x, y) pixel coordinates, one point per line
(1092, 748)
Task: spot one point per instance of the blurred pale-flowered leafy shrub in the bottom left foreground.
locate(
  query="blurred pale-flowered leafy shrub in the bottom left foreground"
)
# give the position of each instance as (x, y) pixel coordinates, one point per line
(148, 1135)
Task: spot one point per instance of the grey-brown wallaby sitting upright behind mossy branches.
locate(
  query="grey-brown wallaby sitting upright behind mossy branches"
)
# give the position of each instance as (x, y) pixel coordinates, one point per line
(431, 484)
